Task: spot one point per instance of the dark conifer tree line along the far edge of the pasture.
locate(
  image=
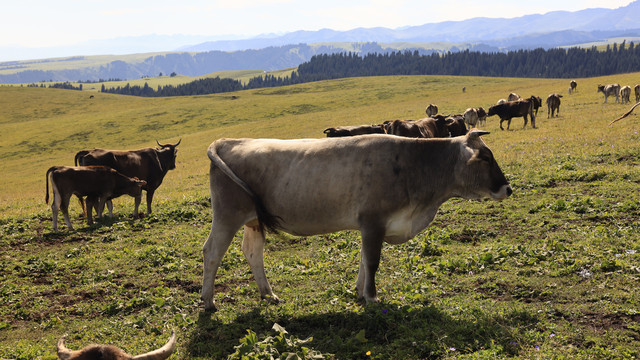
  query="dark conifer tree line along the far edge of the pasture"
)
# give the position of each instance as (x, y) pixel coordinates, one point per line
(537, 63)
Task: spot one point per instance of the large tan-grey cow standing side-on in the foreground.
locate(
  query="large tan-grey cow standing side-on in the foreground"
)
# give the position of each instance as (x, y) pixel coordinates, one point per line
(388, 187)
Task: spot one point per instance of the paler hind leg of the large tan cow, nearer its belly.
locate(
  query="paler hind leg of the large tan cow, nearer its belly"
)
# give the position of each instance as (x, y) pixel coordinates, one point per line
(253, 250)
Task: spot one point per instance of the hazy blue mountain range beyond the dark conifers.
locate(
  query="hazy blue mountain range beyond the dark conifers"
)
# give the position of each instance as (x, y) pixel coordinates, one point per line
(200, 55)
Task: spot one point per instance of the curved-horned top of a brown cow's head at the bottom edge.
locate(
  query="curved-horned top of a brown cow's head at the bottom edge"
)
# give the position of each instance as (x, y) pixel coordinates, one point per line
(94, 352)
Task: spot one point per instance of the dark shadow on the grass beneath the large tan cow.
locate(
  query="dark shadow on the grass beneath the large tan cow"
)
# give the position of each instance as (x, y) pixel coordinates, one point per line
(389, 331)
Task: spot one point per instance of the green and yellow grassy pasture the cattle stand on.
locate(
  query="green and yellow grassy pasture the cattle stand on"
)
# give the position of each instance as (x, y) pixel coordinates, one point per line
(551, 272)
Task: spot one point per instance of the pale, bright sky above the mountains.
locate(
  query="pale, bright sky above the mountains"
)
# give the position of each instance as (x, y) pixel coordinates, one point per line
(47, 23)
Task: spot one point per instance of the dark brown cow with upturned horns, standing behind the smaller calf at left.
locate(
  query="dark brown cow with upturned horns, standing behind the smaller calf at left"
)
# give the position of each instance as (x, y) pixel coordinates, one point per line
(148, 164)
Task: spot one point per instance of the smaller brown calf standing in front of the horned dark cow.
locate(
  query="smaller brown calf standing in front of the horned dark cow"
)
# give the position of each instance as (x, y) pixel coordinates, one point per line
(97, 183)
